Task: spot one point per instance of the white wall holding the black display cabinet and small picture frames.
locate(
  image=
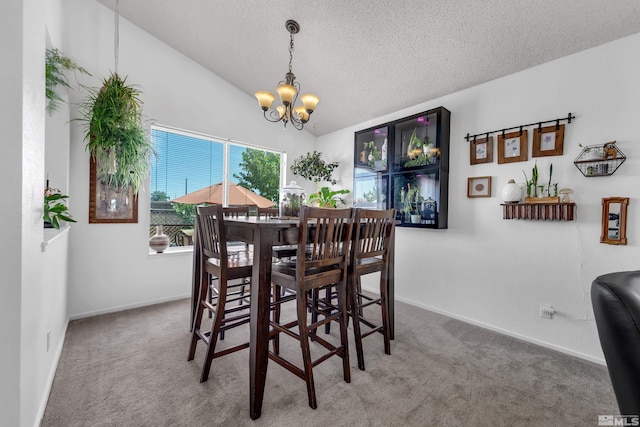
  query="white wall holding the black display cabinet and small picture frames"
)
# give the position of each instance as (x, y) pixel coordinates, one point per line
(496, 272)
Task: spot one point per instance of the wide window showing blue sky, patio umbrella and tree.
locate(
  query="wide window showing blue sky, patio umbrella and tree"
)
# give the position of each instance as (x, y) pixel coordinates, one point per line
(191, 169)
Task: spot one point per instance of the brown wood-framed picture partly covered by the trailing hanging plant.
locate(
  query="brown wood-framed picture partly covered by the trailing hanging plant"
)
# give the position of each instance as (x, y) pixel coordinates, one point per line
(108, 204)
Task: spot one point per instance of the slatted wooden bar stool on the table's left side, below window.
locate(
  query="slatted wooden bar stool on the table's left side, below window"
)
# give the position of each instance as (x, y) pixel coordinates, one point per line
(219, 270)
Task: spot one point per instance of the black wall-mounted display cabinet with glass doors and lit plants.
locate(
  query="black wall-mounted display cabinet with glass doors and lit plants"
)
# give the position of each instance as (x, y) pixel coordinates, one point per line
(404, 164)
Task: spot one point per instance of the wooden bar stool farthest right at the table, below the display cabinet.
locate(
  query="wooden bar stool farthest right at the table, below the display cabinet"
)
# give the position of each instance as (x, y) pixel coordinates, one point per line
(370, 254)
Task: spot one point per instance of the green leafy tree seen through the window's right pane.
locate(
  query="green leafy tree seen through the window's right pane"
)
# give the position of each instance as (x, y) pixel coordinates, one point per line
(260, 173)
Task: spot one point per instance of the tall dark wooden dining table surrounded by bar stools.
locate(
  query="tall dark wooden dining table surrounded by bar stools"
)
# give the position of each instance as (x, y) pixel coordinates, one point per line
(264, 234)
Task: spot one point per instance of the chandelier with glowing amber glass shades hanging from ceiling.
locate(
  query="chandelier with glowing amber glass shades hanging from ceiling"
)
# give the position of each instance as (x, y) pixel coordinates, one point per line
(288, 90)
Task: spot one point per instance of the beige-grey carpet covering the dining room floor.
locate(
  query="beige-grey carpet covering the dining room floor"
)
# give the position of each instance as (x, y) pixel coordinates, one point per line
(130, 369)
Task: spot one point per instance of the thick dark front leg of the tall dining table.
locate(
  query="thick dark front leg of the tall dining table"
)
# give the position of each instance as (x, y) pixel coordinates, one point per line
(259, 325)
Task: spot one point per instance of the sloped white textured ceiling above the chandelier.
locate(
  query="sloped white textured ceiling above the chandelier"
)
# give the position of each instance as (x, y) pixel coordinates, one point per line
(365, 59)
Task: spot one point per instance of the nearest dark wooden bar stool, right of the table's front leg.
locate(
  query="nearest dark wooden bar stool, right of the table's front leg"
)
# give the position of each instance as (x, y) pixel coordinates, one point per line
(324, 239)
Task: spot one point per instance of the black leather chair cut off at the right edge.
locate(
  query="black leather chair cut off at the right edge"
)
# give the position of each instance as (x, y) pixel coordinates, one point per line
(616, 305)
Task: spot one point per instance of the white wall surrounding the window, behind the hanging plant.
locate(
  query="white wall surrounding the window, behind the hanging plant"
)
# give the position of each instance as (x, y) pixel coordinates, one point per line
(109, 264)
